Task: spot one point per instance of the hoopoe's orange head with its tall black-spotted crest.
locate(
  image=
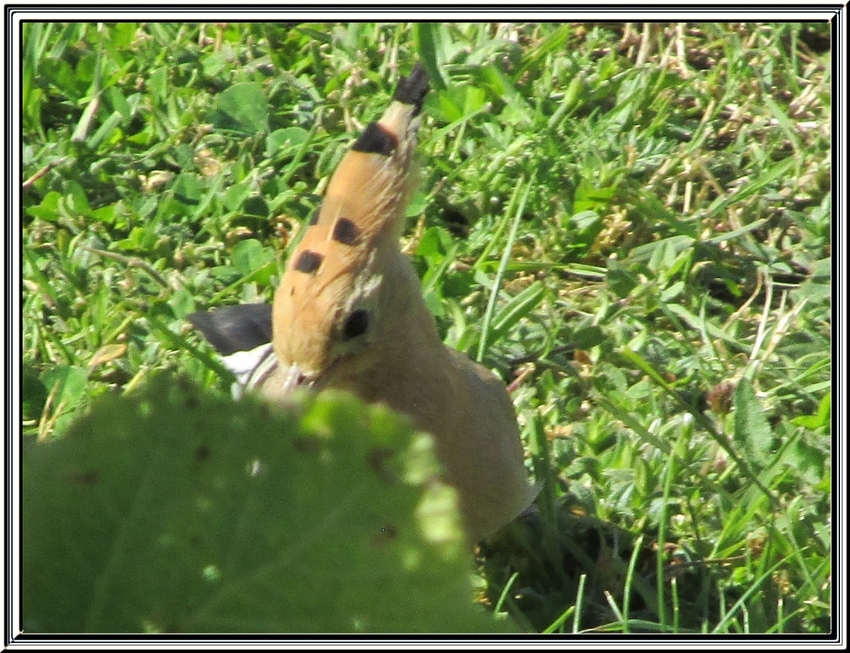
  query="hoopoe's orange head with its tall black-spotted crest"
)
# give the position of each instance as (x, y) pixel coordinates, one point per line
(329, 302)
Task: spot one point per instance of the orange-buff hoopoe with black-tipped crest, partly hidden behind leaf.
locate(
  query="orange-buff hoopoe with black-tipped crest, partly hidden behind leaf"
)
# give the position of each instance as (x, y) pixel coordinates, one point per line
(349, 314)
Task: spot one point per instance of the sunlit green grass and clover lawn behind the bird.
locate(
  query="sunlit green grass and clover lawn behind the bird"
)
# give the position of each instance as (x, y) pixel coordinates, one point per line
(630, 223)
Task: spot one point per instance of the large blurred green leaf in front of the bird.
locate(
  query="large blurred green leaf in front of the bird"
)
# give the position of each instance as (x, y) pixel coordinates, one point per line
(171, 511)
